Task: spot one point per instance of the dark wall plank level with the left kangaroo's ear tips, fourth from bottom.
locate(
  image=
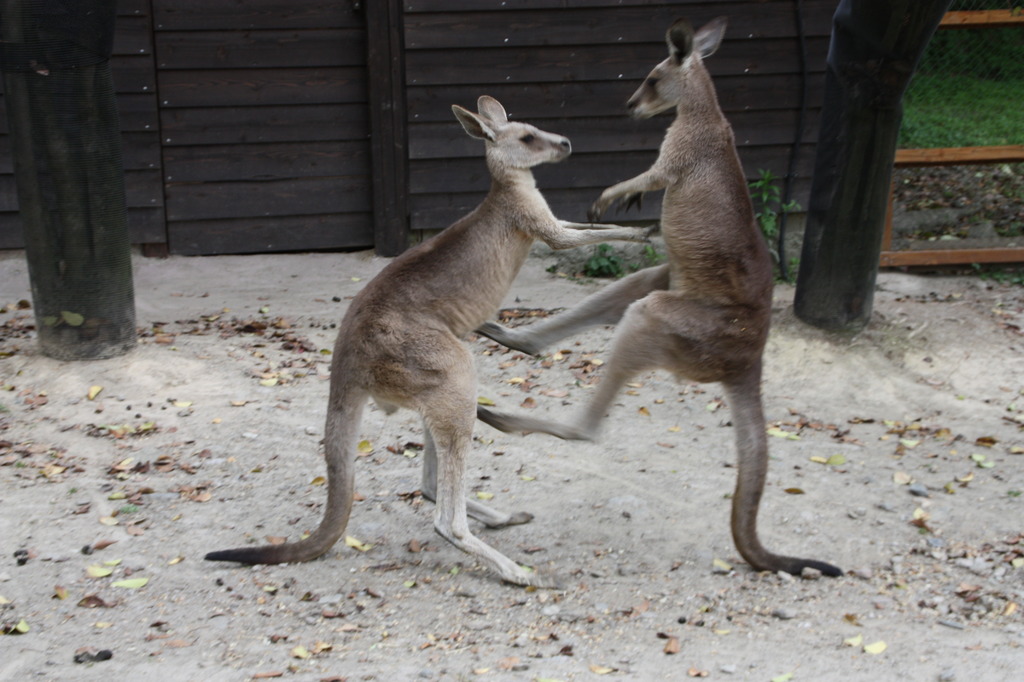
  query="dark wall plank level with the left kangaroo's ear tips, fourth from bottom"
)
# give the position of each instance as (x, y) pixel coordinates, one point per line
(532, 102)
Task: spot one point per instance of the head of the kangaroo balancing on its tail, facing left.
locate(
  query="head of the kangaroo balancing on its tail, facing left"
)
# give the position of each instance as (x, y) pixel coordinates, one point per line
(668, 84)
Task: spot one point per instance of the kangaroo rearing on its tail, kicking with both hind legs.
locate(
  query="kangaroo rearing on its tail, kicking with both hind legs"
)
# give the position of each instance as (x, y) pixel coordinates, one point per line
(705, 315)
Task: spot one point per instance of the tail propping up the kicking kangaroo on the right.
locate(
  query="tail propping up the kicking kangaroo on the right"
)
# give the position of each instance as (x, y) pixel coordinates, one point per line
(744, 394)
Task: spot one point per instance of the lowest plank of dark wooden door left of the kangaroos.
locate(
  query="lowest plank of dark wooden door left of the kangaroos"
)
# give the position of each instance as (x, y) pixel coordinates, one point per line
(280, 234)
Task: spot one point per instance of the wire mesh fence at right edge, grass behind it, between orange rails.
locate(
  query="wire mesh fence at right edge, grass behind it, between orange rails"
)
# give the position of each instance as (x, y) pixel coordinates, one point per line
(967, 94)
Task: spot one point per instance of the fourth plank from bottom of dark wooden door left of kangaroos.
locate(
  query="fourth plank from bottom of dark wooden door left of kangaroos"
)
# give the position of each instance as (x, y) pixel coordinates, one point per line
(265, 124)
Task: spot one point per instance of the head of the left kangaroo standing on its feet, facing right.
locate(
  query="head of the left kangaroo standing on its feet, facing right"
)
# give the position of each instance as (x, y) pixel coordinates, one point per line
(510, 145)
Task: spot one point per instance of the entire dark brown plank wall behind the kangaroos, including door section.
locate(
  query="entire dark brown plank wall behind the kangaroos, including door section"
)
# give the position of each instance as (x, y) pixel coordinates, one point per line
(247, 125)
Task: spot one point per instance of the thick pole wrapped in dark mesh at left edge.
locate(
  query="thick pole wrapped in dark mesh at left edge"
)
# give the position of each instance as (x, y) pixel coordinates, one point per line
(66, 145)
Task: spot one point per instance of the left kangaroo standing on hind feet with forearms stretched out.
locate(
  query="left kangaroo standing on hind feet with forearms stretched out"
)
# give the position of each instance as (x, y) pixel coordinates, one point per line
(400, 342)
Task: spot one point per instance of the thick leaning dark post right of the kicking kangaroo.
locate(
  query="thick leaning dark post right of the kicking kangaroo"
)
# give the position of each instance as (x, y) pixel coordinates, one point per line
(876, 47)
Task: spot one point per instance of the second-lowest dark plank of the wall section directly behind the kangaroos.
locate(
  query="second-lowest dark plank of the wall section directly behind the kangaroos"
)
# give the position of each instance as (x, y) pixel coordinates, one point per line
(581, 170)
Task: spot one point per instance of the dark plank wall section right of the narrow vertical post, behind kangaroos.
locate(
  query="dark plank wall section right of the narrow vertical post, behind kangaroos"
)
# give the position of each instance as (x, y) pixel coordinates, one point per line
(570, 68)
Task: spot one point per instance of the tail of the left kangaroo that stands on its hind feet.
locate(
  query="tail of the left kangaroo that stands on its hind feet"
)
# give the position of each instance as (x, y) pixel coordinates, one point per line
(345, 416)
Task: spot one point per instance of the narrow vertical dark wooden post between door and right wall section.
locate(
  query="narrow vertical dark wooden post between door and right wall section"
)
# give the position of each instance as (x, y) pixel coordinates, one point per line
(389, 144)
